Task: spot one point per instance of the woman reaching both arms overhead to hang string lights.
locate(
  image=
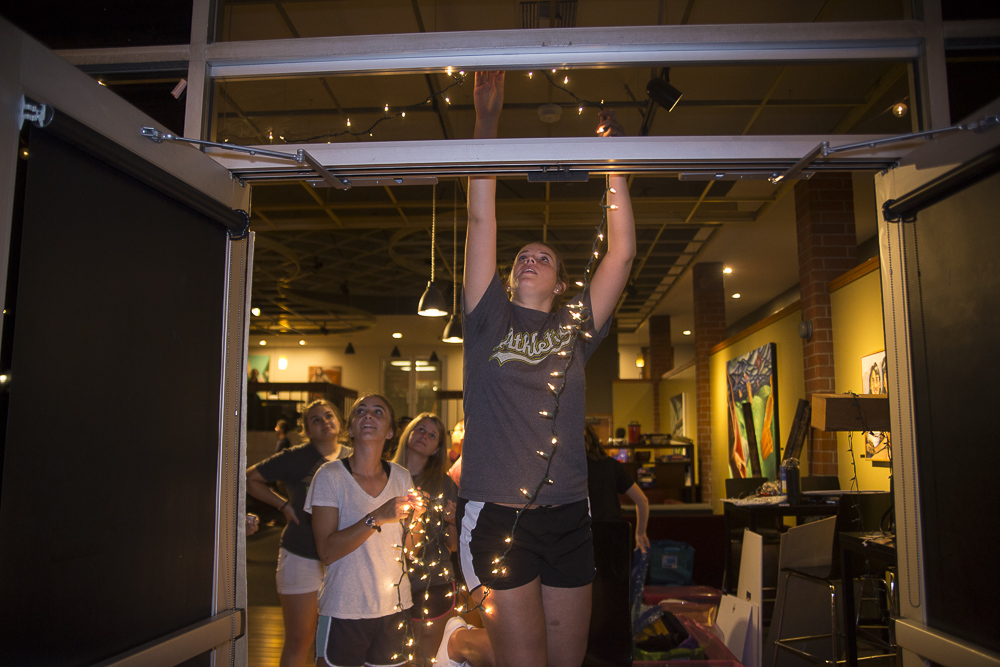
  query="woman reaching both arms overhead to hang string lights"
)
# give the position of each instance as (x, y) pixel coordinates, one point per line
(538, 602)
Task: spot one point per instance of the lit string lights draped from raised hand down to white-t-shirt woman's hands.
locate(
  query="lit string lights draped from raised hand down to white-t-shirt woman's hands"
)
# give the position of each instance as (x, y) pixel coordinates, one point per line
(429, 529)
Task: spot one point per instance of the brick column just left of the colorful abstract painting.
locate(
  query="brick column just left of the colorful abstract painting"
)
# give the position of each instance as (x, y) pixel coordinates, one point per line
(709, 331)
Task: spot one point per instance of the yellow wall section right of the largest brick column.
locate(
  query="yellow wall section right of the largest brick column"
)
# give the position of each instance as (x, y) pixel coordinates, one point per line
(857, 331)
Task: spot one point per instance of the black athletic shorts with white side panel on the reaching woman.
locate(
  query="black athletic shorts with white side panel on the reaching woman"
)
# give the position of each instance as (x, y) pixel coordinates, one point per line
(553, 543)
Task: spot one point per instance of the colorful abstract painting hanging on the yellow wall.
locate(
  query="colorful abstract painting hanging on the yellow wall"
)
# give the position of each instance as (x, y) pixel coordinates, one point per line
(753, 378)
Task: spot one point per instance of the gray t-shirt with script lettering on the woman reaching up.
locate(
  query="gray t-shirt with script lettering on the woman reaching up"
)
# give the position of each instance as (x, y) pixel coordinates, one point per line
(510, 352)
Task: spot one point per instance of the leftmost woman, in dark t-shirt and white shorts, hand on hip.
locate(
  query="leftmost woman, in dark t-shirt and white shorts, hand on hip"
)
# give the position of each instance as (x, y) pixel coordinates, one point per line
(300, 572)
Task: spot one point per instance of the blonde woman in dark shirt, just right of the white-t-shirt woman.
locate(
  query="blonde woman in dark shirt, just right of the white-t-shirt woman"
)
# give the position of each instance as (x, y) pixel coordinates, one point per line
(422, 450)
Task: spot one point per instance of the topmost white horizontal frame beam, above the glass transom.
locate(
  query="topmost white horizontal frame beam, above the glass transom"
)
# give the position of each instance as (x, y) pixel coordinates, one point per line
(570, 47)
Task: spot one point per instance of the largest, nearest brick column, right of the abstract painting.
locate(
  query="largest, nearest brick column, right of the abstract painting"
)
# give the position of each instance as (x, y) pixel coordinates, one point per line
(827, 242)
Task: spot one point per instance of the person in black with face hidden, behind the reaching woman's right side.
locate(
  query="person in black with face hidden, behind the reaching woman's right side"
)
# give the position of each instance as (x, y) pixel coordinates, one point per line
(606, 480)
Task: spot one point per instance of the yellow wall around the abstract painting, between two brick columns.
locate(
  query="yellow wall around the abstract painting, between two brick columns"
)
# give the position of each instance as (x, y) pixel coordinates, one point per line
(791, 387)
